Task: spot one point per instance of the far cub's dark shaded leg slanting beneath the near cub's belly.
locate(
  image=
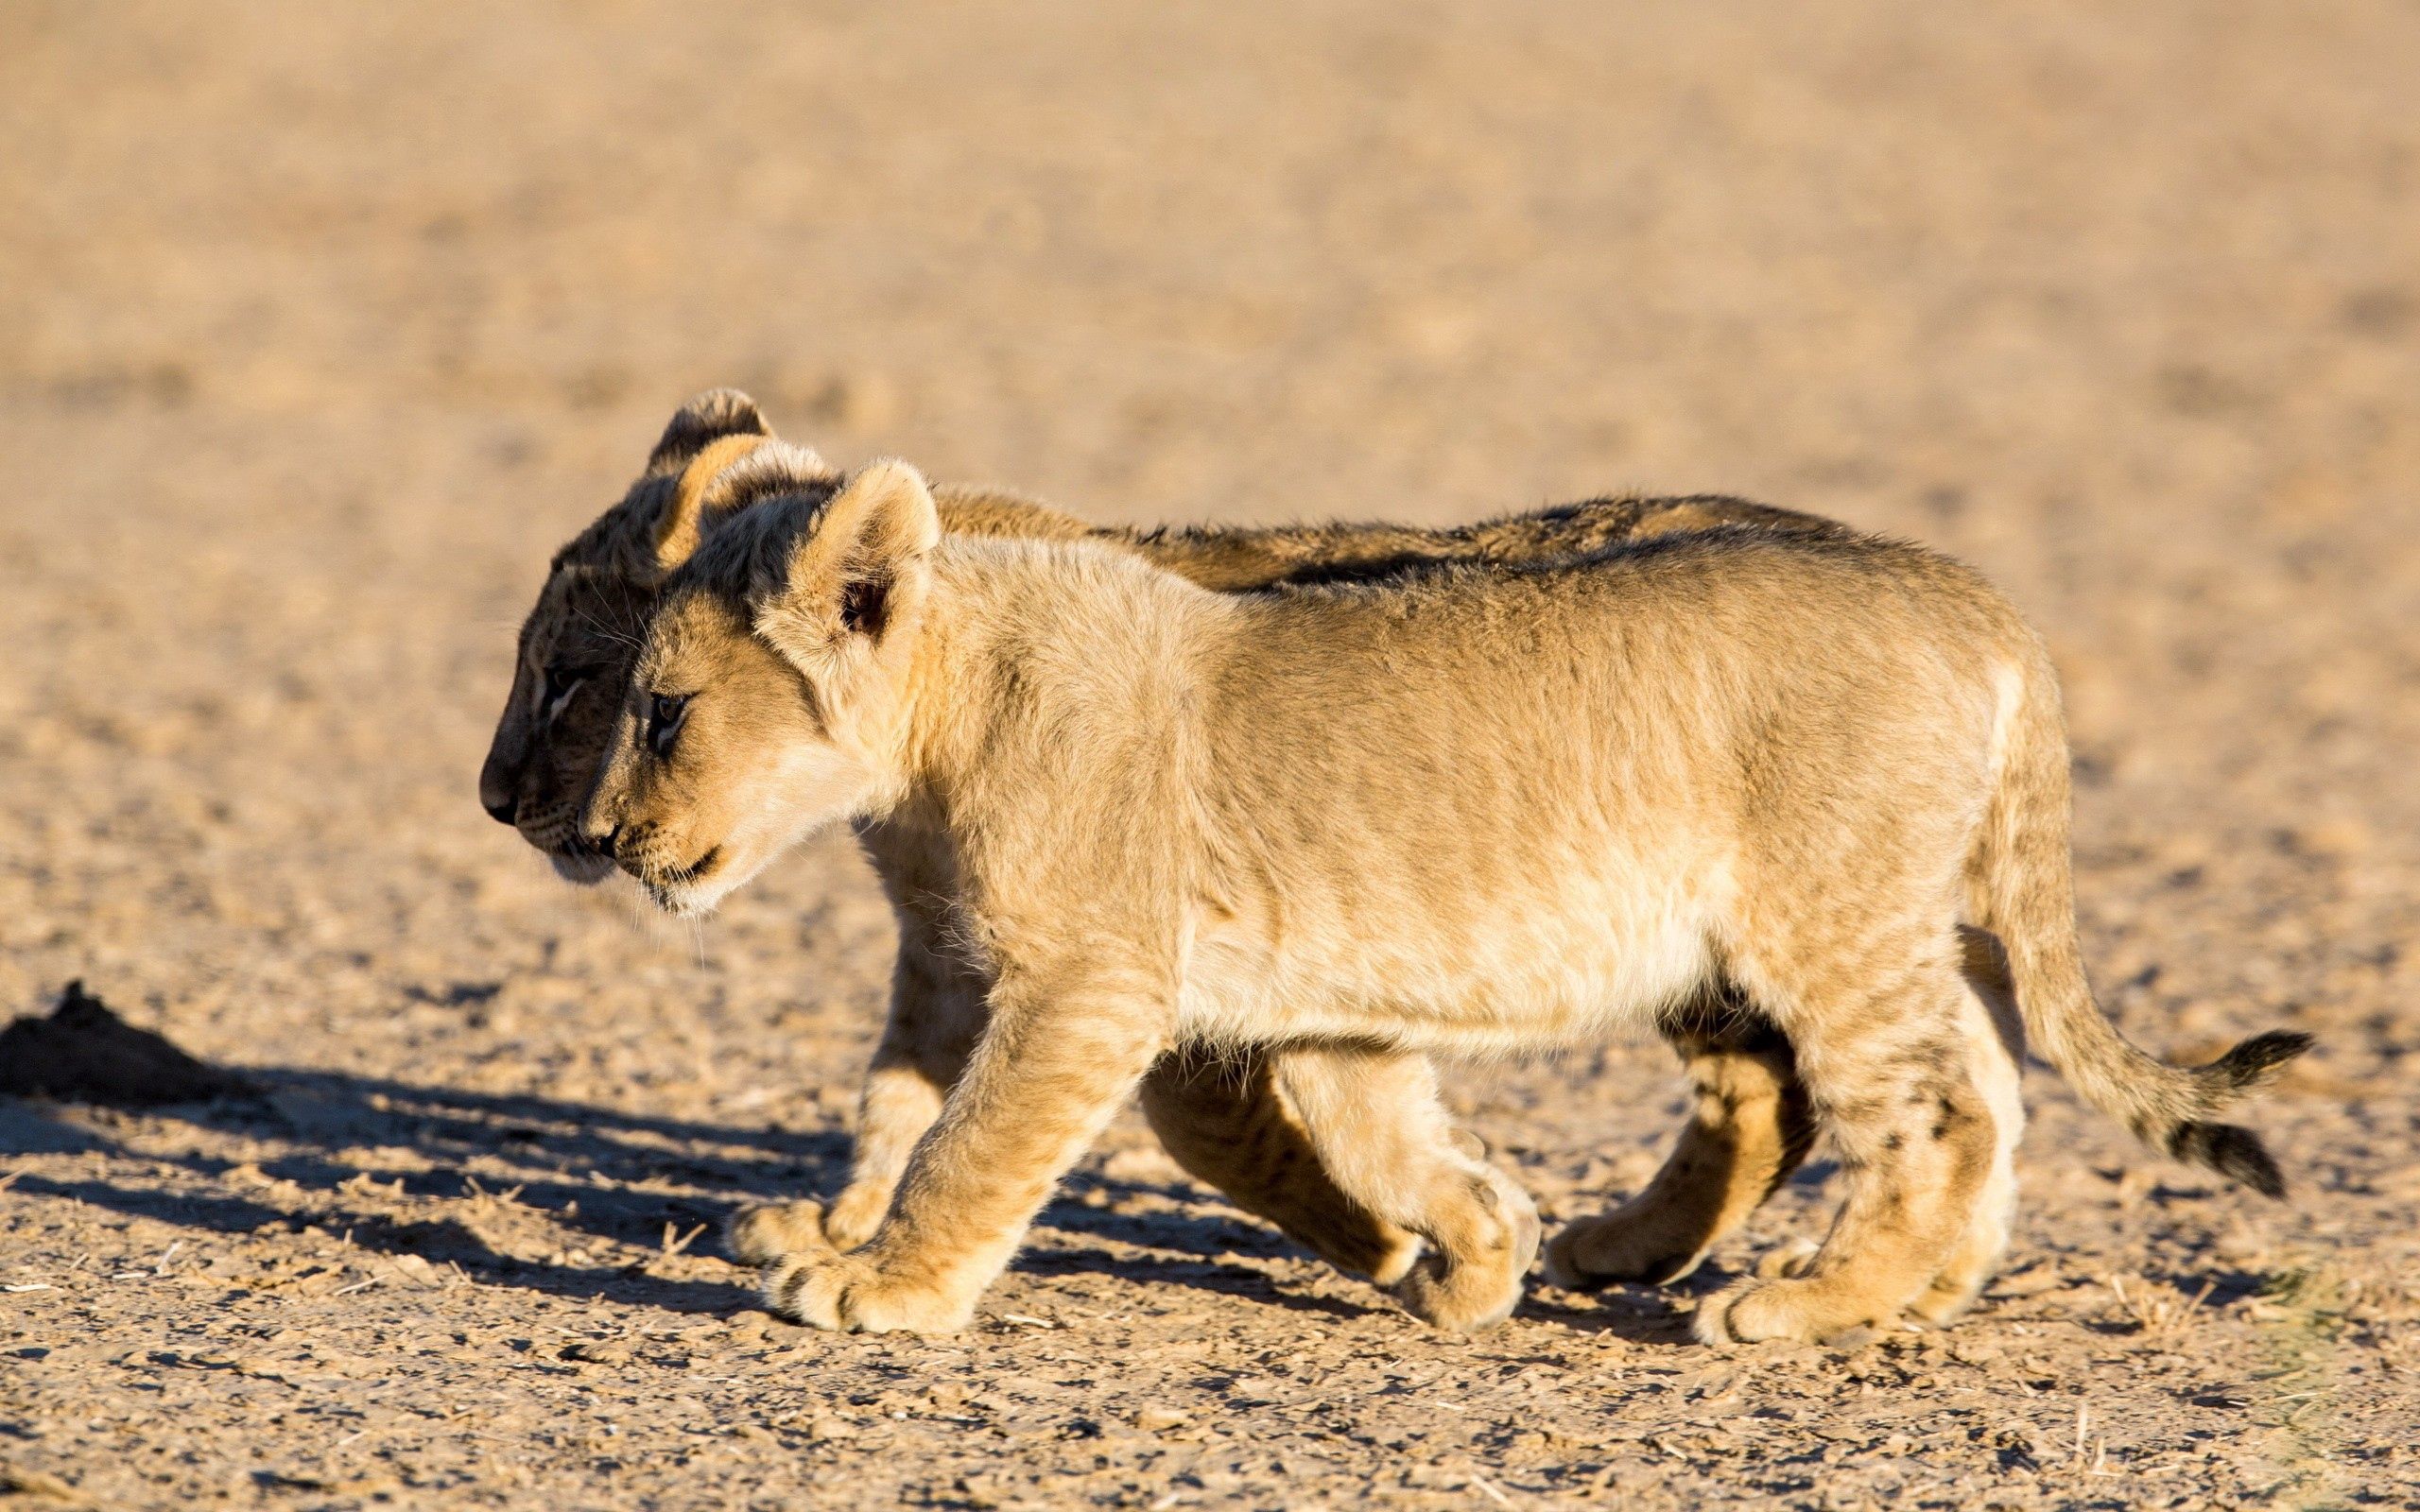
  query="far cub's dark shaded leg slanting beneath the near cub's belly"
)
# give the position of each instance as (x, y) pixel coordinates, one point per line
(1228, 1124)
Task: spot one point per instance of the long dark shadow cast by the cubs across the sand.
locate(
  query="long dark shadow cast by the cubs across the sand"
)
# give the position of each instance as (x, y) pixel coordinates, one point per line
(560, 1165)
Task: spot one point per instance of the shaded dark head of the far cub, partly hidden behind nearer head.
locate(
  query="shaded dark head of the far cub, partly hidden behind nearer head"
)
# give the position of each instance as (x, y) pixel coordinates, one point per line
(577, 645)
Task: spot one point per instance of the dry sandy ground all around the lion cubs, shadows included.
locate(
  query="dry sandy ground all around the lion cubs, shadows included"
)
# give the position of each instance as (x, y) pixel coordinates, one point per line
(323, 325)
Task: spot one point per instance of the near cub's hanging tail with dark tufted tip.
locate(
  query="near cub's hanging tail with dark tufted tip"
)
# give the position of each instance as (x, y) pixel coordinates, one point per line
(2022, 889)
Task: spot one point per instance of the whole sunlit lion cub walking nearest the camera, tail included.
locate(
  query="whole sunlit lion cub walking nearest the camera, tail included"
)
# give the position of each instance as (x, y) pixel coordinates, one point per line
(1463, 809)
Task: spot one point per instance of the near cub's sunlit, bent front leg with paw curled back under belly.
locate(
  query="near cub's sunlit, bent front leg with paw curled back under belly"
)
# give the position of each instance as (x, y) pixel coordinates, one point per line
(1388, 1143)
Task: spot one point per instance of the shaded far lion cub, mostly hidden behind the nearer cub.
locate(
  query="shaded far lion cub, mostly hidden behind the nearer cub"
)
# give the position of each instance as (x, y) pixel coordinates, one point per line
(1226, 1116)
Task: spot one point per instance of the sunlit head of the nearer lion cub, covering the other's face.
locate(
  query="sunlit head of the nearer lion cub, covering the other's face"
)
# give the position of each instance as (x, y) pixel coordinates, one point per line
(771, 686)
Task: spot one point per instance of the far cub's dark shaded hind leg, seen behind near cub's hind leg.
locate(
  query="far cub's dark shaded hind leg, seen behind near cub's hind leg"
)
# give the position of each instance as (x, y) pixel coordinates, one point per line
(1746, 1133)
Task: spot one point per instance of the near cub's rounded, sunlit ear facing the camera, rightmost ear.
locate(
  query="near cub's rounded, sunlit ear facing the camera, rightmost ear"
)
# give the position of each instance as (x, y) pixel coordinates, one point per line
(858, 572)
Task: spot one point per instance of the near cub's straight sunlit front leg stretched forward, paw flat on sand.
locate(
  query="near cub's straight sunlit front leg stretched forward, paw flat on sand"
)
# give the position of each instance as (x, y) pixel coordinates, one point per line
(1056, 1061)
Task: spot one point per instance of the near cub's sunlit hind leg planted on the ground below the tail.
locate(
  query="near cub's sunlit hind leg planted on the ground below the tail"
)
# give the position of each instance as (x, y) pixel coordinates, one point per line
(1884, 1056)
